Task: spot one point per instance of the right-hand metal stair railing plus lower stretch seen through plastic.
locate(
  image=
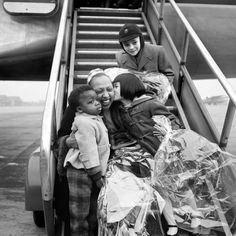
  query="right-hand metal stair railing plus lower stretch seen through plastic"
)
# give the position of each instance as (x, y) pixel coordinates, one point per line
(181, 59)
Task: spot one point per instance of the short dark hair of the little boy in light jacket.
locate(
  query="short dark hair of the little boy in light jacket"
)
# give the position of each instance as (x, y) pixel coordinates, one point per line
(75, 96)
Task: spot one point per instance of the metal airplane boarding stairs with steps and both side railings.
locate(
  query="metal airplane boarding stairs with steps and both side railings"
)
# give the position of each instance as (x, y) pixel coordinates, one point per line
(92, 43)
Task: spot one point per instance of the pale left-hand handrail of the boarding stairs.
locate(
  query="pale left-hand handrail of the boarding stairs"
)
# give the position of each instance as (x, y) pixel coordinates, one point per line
(48, 132)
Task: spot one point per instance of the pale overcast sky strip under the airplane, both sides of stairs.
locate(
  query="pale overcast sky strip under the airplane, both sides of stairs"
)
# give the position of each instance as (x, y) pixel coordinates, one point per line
(35, 91)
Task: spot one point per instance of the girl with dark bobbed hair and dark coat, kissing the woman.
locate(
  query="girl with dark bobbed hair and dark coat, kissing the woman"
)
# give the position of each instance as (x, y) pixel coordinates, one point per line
(136, 111)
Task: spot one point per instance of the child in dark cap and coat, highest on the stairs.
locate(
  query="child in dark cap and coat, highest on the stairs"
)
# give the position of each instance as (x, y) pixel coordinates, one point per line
(140, 56)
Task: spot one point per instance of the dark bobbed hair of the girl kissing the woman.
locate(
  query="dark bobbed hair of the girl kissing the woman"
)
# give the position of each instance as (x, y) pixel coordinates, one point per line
(130, 86)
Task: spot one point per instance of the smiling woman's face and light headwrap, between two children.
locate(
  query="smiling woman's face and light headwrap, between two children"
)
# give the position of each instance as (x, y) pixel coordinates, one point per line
(104, 89)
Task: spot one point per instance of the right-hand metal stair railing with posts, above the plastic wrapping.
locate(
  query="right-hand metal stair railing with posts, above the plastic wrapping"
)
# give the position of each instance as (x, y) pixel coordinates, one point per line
(190, 33)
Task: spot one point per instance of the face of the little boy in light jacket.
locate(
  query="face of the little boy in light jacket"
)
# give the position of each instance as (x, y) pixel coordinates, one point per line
(89, 103)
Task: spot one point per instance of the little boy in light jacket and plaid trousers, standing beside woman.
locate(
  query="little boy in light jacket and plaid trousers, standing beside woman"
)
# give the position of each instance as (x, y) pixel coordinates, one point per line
(87, 165)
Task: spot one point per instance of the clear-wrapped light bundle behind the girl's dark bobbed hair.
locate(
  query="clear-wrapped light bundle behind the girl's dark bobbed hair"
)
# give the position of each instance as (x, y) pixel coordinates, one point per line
(154, 82)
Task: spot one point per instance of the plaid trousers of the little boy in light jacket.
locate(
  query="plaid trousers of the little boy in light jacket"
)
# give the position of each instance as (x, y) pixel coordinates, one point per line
(80, 186)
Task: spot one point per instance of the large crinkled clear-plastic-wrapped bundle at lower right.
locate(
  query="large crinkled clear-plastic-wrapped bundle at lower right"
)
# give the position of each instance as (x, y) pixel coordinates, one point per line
(199, 178)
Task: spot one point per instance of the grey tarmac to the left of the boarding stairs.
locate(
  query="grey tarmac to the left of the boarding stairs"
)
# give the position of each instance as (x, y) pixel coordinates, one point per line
(19, 137)
